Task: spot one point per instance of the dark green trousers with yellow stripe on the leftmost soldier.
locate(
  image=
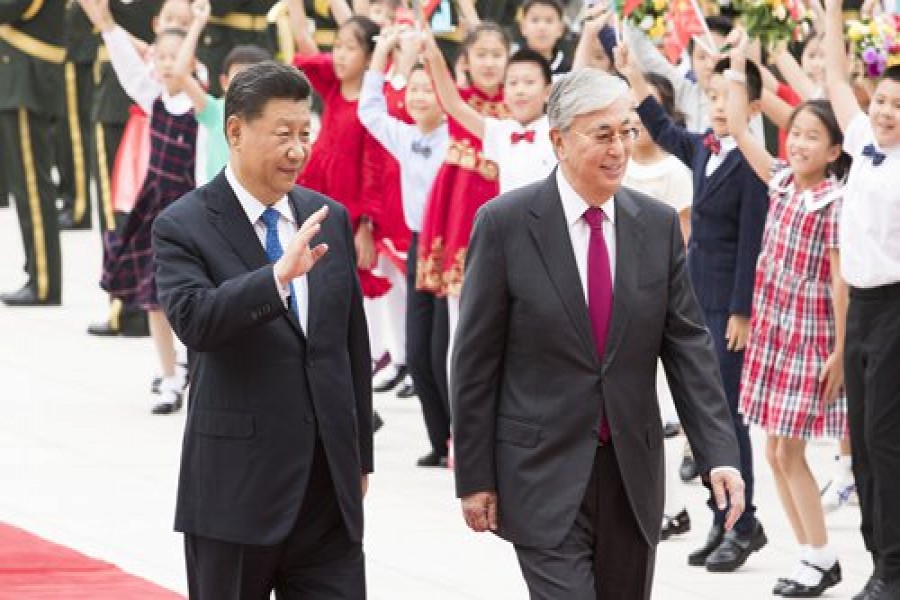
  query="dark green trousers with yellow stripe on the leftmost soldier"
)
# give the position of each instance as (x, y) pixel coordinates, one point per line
(26, 148)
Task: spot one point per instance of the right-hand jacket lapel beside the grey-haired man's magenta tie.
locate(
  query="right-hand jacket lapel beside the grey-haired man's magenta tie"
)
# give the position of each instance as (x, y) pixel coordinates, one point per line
(629, 248)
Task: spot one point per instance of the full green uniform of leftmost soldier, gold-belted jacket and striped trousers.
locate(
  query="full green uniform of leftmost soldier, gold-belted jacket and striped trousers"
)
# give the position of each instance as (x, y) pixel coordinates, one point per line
(31, 80)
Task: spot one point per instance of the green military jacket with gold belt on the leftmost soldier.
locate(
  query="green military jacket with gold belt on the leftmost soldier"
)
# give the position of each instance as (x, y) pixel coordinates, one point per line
(31, 56)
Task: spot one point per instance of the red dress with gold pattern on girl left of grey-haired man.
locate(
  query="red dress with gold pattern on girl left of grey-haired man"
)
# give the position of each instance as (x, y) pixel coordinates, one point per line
(463, 184)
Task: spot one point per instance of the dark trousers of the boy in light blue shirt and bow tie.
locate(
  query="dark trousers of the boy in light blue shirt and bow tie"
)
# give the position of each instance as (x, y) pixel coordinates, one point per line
(426, 353)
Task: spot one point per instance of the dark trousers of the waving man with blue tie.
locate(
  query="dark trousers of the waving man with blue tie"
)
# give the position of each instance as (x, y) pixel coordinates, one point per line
(317, 560)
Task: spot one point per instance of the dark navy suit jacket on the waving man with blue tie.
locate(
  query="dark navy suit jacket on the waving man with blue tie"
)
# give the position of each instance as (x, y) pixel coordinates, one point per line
(262, 390)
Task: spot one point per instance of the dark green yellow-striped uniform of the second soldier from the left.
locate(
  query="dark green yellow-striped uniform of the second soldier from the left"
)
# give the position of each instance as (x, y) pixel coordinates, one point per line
(74, 129)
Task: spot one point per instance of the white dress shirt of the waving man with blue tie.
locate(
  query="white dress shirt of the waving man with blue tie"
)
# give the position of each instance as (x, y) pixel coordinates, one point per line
(287, 229)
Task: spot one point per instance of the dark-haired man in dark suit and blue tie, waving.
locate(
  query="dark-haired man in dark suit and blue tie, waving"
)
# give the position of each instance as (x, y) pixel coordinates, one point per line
(278, 440)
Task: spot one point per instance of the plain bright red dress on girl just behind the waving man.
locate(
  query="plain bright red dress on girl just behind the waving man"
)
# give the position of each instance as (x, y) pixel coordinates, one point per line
(348, 165)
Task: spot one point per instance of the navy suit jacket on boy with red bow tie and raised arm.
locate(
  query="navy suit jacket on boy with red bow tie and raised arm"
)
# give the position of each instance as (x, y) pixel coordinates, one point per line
(728, 216)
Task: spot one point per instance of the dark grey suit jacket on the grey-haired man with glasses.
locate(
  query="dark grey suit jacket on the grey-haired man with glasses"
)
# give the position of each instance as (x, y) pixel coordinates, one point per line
(527, 382)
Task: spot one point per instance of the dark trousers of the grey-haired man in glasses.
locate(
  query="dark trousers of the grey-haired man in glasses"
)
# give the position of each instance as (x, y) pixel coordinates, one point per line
(604, 556)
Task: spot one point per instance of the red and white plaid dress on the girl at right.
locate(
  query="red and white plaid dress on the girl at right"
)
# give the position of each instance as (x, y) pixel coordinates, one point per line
(792, 329)
